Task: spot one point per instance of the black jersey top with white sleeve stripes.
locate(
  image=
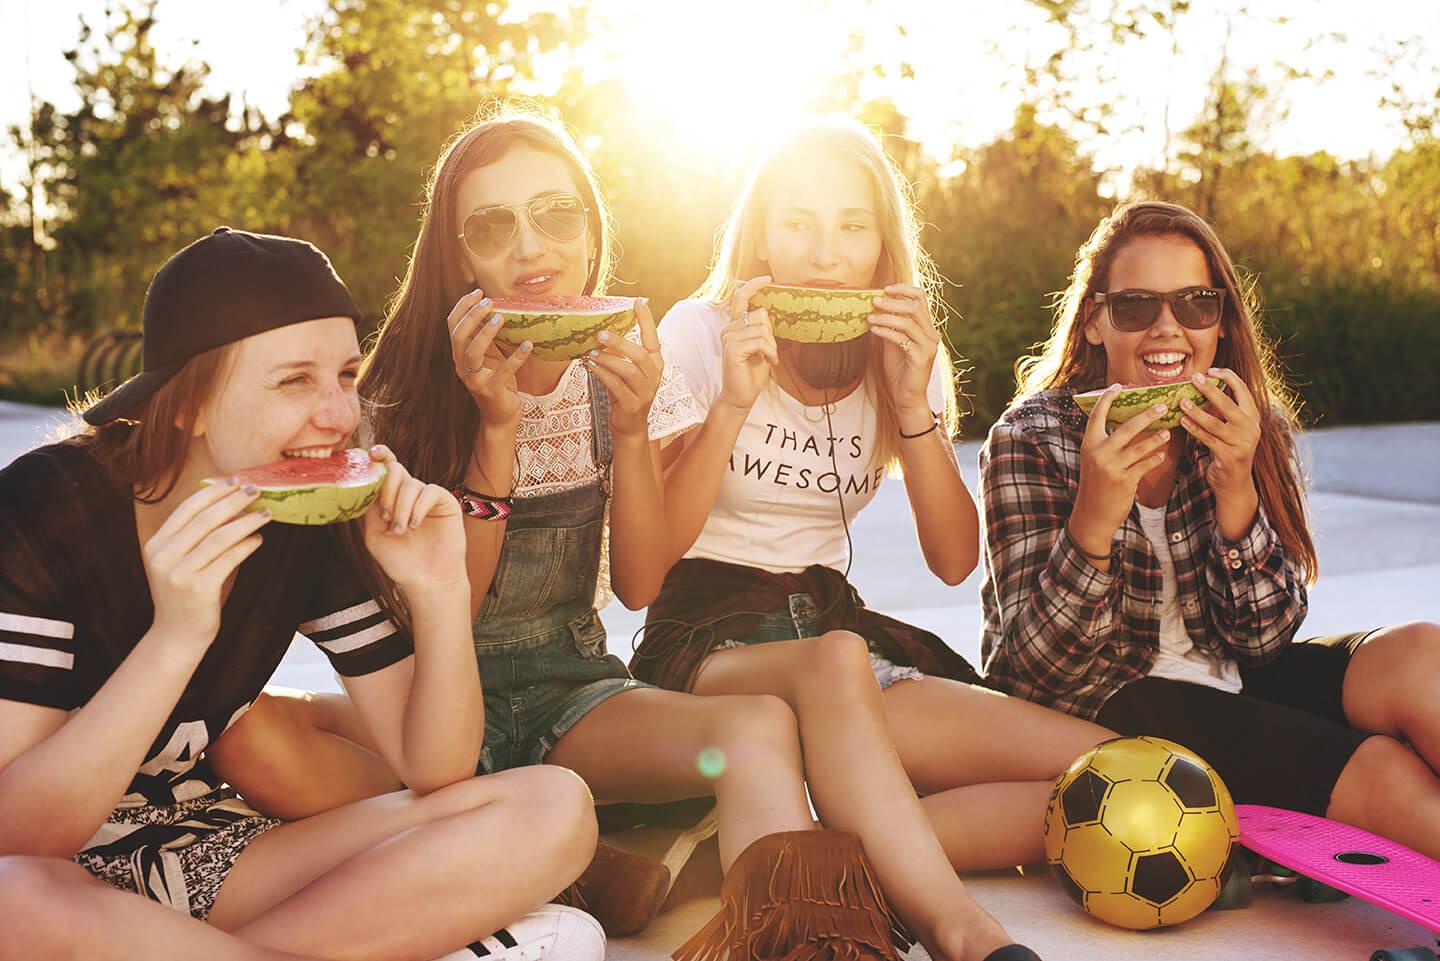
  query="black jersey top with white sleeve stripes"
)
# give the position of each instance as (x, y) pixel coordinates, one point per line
(76, 602)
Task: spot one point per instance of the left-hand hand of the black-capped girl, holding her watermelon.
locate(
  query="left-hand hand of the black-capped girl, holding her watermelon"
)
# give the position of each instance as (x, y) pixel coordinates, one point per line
(195, 553)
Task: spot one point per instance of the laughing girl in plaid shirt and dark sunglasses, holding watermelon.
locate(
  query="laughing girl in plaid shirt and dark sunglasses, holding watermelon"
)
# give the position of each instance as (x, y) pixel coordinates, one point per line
(1156, 580)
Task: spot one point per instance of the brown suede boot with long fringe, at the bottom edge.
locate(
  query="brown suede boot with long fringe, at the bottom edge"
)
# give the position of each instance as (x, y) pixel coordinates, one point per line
(800, 897)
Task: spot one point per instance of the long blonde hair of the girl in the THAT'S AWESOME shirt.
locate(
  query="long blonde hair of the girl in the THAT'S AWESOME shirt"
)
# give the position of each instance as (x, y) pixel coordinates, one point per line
(902, 259)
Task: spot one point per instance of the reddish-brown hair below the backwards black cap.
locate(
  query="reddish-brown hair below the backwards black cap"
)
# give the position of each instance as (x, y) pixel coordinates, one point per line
(146, 450)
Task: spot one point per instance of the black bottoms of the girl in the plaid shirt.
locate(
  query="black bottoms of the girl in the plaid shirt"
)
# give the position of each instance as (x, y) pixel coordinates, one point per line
(1282, 741)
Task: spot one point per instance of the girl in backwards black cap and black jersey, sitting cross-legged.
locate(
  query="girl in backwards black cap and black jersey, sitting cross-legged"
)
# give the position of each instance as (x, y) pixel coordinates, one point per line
(140, 619)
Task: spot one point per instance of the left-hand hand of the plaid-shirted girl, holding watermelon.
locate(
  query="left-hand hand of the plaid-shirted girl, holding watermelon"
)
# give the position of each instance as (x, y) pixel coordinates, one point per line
(1111, 472)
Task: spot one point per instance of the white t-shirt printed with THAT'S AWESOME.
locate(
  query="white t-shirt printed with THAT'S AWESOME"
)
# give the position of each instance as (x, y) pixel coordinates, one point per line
(780, 504)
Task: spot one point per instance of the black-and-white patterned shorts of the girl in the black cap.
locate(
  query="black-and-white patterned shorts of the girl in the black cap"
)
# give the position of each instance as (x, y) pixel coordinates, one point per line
(175, 854)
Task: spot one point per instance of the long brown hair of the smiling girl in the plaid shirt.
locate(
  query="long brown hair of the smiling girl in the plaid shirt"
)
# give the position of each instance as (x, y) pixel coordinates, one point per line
(1069, 361)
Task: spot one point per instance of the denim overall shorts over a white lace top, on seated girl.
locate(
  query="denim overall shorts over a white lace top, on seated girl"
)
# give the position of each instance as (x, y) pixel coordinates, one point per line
(538, 638)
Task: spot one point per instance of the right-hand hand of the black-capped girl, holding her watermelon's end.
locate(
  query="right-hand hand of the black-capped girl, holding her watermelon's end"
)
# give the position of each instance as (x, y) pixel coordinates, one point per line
(414, 531)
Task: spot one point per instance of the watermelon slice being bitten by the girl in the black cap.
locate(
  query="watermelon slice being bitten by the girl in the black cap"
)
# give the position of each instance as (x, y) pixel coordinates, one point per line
(315, 491)
